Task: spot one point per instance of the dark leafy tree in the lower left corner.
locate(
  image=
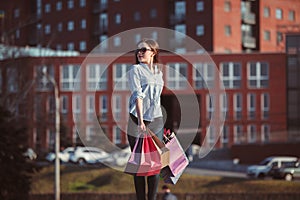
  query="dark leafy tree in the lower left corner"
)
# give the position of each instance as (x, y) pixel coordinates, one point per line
(15, 170)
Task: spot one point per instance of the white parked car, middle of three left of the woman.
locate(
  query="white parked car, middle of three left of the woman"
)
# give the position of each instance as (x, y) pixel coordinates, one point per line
(88, 155)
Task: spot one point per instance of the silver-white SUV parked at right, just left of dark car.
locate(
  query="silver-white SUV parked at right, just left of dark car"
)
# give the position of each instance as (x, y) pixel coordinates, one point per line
(269, 165)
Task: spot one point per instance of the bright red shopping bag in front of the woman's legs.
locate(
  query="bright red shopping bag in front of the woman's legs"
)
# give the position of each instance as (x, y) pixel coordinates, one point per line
(150, 158)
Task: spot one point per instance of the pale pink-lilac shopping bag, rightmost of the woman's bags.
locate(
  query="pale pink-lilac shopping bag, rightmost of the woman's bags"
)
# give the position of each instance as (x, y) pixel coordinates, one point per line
(178, 161)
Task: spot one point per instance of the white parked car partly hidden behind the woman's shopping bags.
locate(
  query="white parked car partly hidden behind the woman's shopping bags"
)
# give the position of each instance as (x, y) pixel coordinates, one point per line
(118, 158)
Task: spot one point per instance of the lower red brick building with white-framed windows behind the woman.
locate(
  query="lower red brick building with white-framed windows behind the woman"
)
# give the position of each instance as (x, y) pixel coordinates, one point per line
(254, 98)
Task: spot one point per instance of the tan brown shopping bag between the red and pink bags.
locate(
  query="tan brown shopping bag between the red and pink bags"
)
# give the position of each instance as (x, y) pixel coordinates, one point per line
(163, 150)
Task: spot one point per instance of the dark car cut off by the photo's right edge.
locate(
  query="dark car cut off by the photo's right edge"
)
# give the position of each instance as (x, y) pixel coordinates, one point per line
(289, 172)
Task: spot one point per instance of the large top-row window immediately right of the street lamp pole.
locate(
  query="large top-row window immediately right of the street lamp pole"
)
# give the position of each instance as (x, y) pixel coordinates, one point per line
(69, 79)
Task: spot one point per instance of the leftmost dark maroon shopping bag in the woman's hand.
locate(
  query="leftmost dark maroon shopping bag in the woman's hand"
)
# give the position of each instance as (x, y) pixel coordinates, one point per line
(135, 157)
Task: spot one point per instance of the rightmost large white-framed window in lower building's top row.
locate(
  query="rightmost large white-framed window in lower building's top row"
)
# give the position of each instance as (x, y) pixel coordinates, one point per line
(258, 75)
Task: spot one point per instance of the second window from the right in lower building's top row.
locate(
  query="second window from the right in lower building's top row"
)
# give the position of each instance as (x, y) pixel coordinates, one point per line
(231, 74)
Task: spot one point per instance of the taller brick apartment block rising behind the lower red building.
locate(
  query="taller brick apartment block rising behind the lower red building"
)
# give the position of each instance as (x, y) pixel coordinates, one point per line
(220, 26)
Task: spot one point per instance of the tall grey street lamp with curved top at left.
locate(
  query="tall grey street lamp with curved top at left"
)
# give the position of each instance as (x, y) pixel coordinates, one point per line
(57, 134)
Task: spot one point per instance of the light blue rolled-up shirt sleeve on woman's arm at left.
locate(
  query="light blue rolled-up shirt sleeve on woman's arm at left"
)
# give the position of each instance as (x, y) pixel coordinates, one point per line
(135, 83)
